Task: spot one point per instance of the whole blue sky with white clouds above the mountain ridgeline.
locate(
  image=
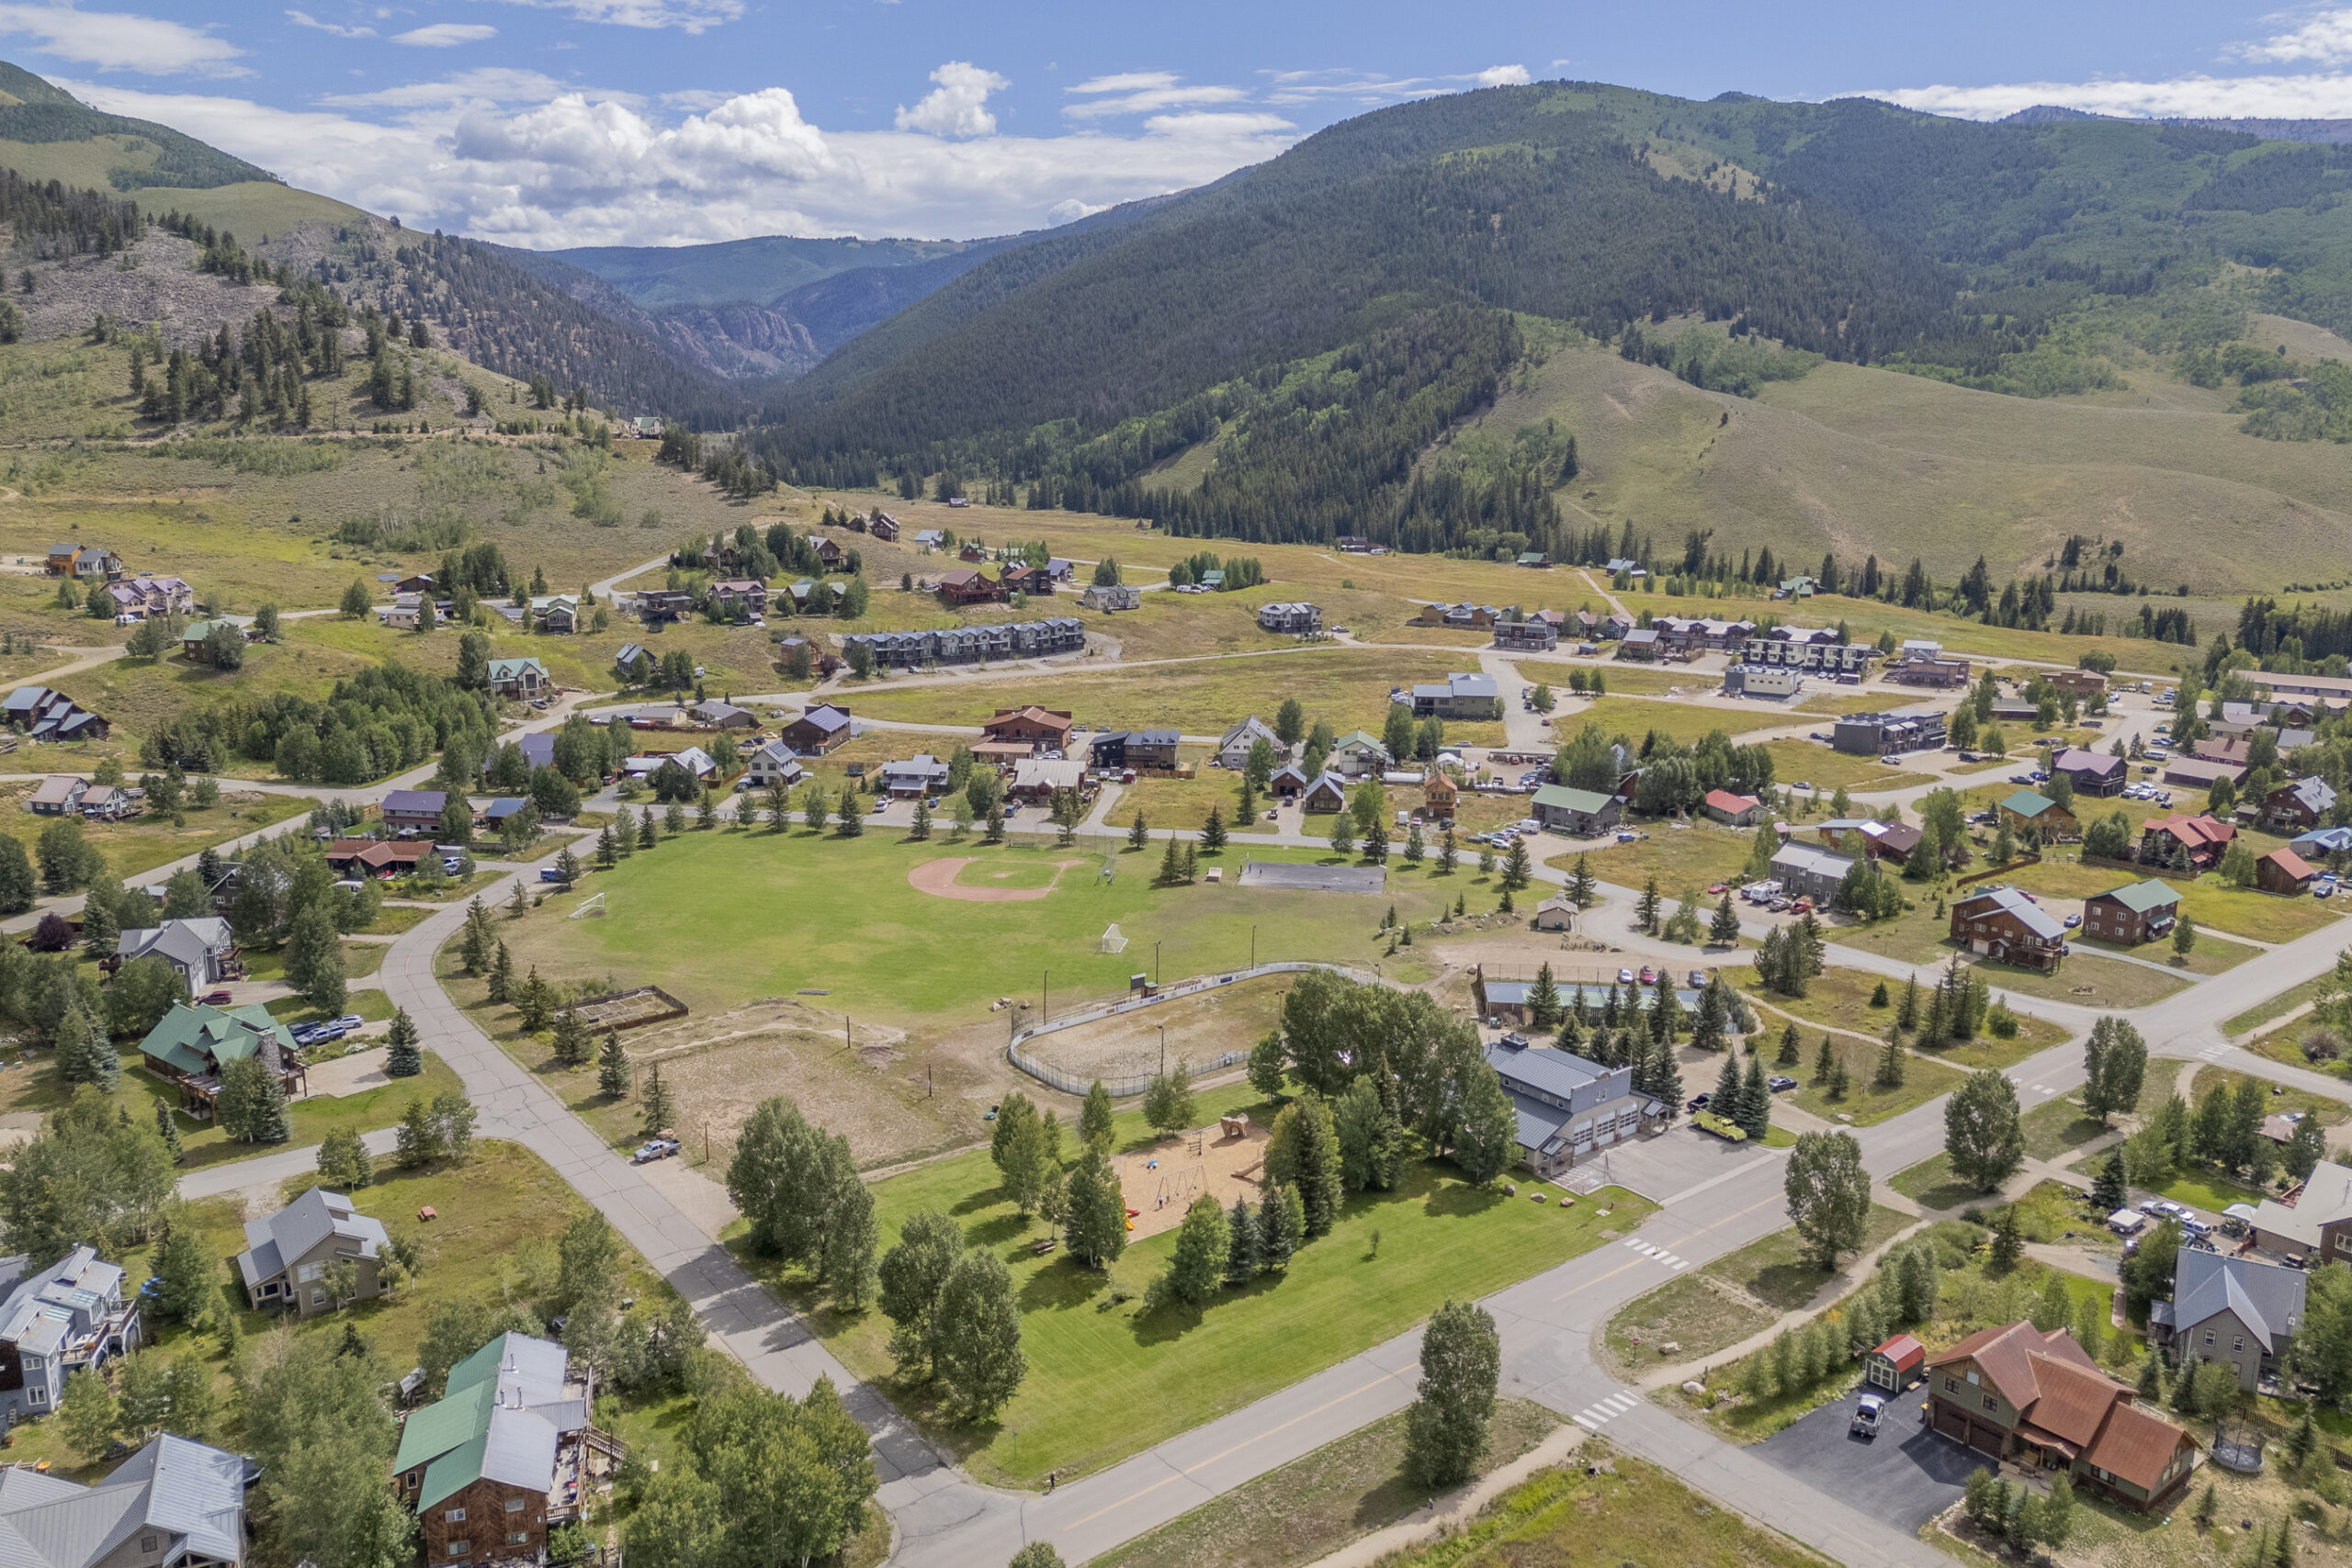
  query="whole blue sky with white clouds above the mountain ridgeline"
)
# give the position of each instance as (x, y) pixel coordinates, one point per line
(674, 121)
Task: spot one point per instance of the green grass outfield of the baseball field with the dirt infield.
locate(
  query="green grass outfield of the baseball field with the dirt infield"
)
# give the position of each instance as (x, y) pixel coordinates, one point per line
(728, 916)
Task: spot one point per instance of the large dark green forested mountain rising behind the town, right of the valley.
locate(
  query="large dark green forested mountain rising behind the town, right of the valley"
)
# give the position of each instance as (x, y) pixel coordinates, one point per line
(1252, 311)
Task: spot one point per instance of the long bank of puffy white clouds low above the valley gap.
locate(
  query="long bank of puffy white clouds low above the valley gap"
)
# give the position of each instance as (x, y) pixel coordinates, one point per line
(507, 159)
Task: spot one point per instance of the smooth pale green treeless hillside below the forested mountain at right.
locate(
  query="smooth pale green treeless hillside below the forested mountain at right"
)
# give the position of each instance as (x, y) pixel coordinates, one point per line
(1859, 462)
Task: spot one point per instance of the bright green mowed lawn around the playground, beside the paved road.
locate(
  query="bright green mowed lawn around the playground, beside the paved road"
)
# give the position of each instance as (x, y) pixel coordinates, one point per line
(1109, 1379)
